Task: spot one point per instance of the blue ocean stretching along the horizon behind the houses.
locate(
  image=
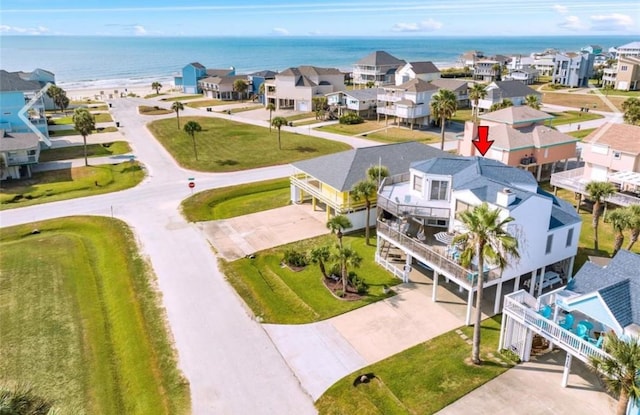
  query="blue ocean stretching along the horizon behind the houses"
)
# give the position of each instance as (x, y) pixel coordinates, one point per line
(94, 62)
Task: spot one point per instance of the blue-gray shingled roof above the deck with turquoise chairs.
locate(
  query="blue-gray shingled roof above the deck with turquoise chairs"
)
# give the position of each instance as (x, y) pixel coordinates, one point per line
(618, 284)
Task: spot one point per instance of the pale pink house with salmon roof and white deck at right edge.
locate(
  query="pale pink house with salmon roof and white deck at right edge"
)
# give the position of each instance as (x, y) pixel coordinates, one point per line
(610, 153)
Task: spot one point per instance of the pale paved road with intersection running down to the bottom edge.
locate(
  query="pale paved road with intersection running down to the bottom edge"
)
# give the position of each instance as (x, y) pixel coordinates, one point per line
(232, 365)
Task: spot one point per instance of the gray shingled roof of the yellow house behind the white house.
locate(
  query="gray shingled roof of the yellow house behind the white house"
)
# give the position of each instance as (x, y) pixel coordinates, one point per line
(342, 170)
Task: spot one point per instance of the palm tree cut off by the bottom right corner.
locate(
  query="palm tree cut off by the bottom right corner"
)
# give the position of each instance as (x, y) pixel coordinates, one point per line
(621, 369)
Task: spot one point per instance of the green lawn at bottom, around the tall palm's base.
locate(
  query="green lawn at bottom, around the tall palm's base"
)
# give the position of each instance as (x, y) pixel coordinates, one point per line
(421, 380)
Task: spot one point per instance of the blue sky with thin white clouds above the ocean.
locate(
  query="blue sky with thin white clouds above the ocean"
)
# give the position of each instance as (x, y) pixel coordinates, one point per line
(319, 18)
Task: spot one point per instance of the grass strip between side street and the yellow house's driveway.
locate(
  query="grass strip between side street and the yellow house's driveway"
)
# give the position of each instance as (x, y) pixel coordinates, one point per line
(229, 202)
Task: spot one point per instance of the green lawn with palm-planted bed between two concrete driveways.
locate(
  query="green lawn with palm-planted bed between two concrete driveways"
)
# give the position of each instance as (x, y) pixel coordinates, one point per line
(279, 295)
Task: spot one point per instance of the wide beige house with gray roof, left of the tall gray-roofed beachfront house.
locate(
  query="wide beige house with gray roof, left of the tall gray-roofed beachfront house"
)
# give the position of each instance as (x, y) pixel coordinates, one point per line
(295, 88)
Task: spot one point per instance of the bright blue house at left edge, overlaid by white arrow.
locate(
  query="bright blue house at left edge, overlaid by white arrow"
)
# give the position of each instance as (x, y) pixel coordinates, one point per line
(22, 104)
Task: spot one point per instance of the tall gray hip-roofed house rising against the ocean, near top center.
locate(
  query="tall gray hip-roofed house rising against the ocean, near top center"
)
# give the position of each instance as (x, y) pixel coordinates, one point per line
(378, 67)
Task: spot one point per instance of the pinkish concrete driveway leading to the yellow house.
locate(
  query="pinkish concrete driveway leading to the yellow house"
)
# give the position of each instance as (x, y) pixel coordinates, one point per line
(240, 236)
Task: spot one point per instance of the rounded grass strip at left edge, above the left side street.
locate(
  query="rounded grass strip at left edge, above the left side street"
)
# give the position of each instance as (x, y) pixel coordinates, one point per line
(66, 184)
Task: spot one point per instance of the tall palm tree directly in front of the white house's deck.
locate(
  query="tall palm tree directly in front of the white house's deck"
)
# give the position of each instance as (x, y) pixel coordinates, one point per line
(486, 239)
